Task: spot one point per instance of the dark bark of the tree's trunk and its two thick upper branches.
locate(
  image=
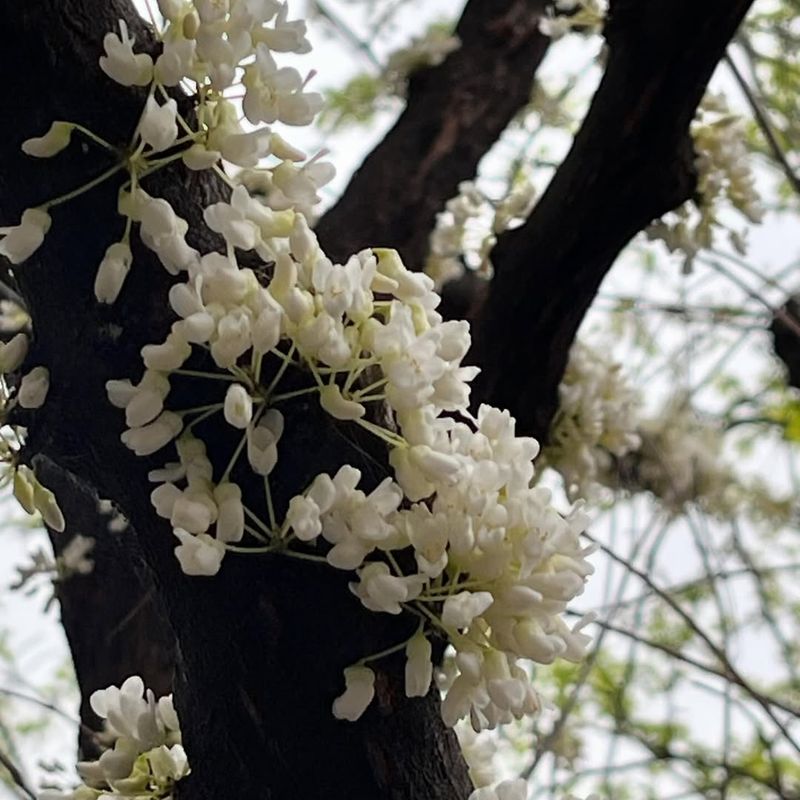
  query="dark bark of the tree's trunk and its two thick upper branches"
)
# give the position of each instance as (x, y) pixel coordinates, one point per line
(260, 648)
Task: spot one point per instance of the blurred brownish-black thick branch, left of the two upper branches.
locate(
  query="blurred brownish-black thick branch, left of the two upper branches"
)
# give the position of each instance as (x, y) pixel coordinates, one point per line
(455, 113)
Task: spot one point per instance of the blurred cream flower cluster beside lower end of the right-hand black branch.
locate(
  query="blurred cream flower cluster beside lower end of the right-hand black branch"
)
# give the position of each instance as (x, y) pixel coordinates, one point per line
(596, 421)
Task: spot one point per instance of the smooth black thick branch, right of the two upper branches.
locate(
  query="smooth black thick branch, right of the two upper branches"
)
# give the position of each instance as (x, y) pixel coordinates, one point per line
(631, 162)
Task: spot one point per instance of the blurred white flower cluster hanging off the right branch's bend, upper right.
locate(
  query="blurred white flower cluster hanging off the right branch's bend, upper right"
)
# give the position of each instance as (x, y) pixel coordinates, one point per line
(724, 177)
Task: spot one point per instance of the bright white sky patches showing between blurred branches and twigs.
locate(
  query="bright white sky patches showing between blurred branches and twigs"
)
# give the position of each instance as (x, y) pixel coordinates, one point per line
(37, 639)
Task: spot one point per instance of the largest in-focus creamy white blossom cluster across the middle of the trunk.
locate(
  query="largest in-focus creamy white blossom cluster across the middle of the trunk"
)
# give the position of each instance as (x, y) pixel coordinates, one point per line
(495, 564)
